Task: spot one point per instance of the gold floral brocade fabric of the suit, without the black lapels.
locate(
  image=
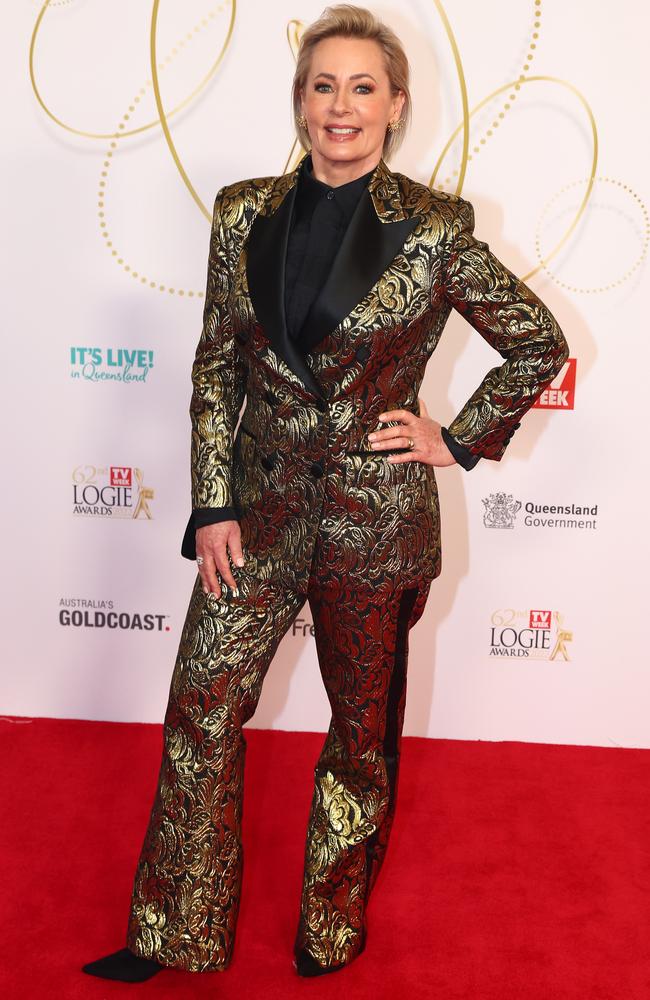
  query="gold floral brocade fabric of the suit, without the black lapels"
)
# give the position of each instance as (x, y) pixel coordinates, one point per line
(323, 519)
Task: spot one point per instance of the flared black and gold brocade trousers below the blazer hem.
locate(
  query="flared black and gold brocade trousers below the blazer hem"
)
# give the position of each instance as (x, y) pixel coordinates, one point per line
(187, 885)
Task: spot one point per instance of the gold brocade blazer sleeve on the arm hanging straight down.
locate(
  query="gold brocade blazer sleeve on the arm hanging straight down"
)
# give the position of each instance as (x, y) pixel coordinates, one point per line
(218, 381)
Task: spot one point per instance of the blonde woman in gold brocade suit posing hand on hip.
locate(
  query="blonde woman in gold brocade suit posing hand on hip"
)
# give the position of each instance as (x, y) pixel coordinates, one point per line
(328, 290)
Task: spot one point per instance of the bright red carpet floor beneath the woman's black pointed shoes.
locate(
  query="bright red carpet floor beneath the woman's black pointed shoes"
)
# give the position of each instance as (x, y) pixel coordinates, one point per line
(515, 870)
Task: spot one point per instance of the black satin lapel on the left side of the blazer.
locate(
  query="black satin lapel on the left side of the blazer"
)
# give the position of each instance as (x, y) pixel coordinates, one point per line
(266, 254)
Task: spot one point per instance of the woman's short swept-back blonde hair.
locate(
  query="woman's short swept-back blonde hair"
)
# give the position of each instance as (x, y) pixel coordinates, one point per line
(344, 20)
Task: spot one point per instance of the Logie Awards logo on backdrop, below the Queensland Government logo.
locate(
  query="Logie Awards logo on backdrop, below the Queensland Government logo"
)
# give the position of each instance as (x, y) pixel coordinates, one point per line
(536, 634)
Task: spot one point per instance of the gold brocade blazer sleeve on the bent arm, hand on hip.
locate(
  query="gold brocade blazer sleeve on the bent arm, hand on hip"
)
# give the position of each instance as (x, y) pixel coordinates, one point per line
(513, 320)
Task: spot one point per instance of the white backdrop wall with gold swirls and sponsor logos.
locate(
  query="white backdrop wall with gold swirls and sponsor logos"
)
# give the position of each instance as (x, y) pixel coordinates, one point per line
(536, 629)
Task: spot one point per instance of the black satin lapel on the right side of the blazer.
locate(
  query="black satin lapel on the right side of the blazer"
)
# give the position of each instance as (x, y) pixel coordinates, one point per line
(366, 250)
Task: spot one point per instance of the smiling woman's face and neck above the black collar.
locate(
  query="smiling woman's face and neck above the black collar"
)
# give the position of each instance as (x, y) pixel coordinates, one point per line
(348, 103)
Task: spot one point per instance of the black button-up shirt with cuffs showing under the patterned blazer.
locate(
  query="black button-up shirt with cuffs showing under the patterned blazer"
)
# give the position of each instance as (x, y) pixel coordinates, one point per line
(320, 217)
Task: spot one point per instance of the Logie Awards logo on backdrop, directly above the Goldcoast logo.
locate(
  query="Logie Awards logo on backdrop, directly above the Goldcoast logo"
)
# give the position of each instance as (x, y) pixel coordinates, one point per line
(116, 491)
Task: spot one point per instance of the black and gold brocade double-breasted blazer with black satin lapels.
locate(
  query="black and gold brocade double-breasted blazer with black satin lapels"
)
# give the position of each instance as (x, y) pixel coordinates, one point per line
(299, 468)
